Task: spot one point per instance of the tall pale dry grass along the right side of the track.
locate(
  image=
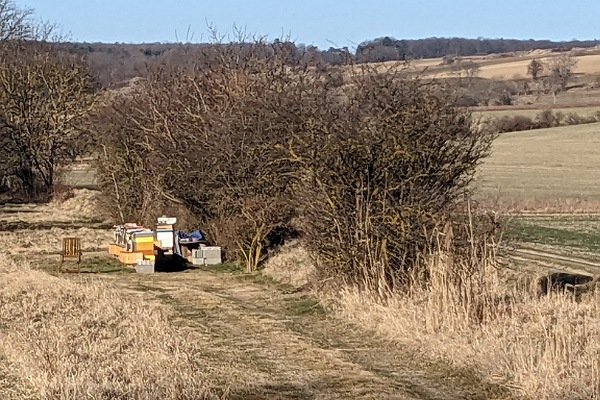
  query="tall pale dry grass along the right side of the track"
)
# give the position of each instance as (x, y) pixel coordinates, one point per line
(541, 348)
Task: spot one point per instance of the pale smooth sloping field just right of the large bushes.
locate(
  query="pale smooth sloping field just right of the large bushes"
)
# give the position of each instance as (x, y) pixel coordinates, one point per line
(544, 168)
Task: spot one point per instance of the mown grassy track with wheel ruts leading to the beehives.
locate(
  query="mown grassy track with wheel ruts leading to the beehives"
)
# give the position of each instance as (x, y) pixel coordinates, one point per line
(283, 345)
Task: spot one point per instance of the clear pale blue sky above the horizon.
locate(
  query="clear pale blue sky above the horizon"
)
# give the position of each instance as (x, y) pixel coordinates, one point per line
(322, 23)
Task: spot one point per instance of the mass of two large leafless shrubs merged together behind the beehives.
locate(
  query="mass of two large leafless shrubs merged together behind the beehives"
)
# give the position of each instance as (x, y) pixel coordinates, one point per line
(366, 166)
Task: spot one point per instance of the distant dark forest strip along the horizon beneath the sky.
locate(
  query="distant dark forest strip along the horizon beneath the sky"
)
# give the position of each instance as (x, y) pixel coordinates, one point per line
(115, 64)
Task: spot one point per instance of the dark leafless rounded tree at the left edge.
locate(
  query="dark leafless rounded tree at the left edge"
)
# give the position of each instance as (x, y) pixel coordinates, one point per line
(44, 98)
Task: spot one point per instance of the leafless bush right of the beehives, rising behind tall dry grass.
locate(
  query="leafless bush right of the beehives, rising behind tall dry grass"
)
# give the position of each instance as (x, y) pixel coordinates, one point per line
(378, 172)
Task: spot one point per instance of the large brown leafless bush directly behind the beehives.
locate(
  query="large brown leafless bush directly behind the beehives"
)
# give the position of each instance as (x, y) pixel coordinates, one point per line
(207, 140)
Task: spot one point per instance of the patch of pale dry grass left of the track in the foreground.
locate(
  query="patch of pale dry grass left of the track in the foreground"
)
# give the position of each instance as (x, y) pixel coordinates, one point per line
(66, 339)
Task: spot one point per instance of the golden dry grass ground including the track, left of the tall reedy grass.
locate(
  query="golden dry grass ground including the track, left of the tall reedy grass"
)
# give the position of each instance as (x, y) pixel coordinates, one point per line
(107, 333)
